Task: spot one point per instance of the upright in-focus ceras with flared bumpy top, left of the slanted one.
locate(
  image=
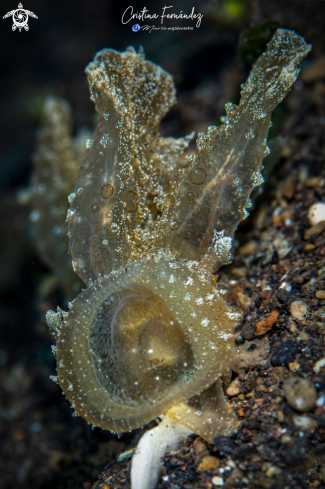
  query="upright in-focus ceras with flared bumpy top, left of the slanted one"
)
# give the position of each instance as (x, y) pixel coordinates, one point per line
(110, 221)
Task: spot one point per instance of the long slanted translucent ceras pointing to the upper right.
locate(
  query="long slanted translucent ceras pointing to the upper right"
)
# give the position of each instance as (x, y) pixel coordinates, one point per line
(210, 199)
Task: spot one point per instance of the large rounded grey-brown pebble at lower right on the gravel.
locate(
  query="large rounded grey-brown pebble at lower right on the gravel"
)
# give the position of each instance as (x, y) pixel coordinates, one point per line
(300, 393)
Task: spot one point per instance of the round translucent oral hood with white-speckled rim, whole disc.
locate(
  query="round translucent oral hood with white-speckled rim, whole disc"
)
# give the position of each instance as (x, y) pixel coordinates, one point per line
(133, 344)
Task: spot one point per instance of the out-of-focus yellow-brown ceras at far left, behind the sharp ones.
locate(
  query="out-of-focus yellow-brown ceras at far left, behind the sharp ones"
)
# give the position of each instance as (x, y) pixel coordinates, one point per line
(56, 163)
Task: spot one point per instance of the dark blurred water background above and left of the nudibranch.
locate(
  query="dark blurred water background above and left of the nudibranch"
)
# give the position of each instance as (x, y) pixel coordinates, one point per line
(42, 445)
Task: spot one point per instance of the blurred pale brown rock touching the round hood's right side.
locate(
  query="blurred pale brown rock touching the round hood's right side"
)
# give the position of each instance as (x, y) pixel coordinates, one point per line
(251, 354)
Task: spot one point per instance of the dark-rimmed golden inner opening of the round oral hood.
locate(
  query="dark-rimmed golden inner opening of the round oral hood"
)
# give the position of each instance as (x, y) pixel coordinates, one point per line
(138, 348)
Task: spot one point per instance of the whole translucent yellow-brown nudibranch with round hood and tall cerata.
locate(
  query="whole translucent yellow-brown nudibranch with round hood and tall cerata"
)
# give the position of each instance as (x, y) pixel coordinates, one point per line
(151, 334)
